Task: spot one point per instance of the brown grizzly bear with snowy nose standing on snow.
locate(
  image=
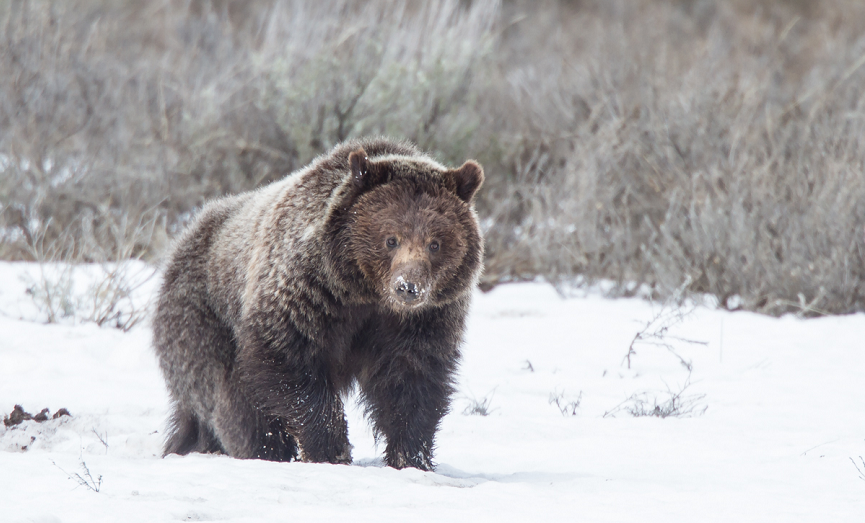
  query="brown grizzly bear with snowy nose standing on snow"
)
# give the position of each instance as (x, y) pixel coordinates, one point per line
(354, 271)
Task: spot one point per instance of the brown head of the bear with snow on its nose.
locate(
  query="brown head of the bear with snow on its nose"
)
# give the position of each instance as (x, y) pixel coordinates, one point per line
(413, 231)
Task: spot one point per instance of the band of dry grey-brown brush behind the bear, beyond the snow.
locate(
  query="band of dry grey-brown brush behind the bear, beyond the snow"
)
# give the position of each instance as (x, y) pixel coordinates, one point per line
(660, 142)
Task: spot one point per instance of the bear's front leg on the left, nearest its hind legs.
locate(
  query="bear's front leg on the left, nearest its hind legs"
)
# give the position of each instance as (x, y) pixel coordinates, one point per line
(287, 381)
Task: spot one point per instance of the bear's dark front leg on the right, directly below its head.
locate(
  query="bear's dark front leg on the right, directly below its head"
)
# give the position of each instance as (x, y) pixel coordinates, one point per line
(408, 383)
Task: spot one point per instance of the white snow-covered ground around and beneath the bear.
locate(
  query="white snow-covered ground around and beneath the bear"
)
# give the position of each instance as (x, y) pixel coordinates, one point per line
(778, 412)
